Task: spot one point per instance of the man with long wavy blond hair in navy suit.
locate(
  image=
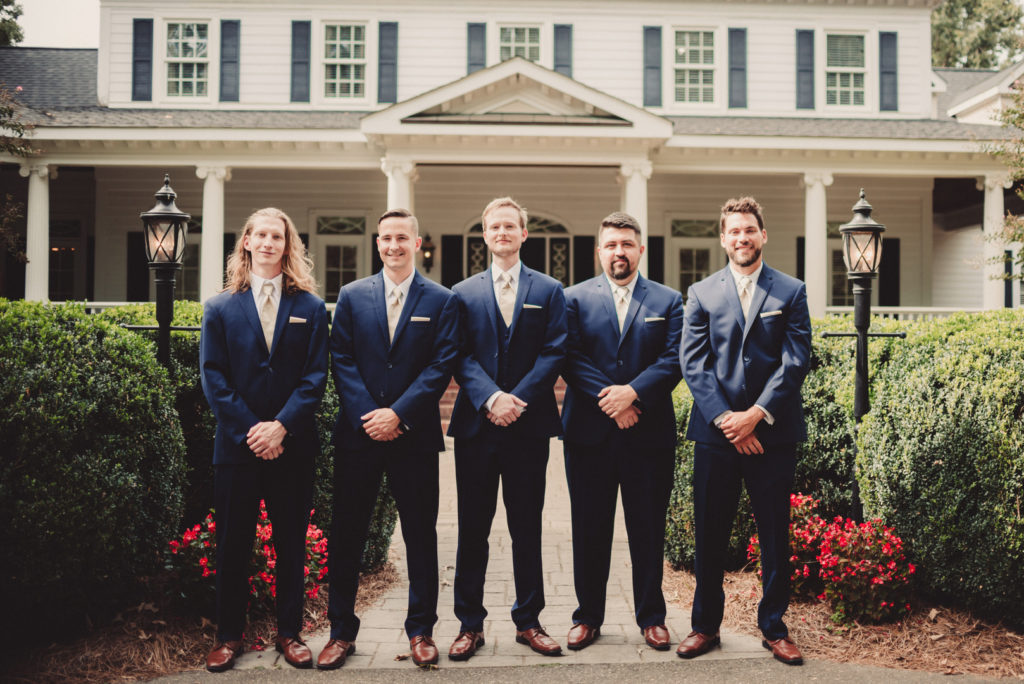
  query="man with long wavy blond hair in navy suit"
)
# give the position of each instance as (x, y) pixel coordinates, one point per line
(265, 365)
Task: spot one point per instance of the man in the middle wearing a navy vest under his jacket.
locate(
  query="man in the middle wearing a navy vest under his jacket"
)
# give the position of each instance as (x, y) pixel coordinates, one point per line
(511, 350)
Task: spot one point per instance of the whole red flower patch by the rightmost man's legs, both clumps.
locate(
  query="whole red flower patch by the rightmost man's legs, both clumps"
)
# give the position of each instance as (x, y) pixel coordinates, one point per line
(861, 570)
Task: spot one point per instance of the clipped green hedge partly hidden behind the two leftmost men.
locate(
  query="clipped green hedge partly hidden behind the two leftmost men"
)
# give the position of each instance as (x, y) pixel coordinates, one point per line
(199, 425)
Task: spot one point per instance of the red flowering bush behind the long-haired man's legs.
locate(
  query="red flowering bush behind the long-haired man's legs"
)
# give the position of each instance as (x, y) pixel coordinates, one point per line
(194, 557)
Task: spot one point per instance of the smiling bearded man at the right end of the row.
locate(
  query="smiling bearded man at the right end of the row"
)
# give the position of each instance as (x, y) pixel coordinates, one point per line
(746, 351)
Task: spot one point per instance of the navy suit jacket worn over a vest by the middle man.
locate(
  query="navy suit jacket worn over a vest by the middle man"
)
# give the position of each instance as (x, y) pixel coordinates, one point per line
(537, 352)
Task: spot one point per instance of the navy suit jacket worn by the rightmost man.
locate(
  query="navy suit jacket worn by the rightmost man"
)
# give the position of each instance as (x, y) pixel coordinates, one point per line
(731, 365)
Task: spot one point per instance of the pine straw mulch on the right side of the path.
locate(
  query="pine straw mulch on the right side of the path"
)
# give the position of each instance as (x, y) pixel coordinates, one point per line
(933, 638)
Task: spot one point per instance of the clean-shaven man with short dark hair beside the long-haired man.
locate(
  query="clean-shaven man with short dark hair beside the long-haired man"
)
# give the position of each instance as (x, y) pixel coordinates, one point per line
(393, 346)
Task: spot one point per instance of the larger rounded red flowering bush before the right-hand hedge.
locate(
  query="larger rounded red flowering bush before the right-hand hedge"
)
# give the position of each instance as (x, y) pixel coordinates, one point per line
(866, 573)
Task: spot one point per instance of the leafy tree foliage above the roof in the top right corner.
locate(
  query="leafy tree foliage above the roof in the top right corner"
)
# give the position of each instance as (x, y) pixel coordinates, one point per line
(976, 34)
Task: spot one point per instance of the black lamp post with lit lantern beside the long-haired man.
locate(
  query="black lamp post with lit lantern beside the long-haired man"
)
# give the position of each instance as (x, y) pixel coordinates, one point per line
(166, 229)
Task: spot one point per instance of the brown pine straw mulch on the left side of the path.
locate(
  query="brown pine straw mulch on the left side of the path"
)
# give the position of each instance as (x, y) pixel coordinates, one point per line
(149, 642)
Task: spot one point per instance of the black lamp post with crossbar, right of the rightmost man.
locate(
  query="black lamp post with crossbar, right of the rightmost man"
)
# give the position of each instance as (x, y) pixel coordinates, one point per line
(863, 252)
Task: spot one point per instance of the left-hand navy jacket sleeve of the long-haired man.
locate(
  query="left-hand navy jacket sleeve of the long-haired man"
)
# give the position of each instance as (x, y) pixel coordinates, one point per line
(234, 416)
